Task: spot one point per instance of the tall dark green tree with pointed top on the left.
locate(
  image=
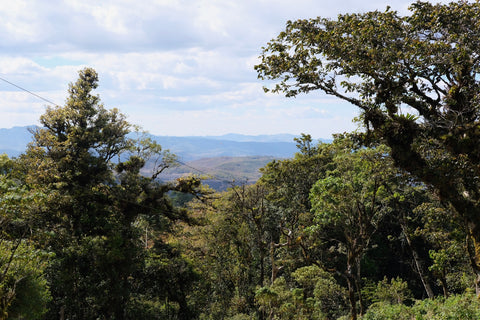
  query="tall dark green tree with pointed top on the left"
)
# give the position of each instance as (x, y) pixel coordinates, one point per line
(70, 161)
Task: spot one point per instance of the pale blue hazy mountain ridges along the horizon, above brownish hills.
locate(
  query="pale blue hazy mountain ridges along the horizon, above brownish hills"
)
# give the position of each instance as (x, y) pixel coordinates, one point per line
(13, 141)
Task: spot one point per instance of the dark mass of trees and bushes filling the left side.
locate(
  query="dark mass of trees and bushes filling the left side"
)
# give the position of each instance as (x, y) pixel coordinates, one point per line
(82, 230)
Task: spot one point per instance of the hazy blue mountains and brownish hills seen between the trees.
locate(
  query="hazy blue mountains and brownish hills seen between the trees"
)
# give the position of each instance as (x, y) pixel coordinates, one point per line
(227, 159)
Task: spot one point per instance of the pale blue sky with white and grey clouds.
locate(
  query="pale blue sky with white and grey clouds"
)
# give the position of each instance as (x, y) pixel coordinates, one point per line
(174, 67)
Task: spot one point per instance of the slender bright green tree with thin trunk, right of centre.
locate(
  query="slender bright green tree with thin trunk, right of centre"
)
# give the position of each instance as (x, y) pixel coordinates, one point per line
(349, 204)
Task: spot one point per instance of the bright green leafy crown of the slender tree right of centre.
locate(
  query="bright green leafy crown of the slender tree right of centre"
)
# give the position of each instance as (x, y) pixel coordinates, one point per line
(355, 186)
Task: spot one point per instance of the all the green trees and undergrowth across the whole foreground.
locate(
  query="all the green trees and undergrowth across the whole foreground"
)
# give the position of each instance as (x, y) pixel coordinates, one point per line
(379, 224)
